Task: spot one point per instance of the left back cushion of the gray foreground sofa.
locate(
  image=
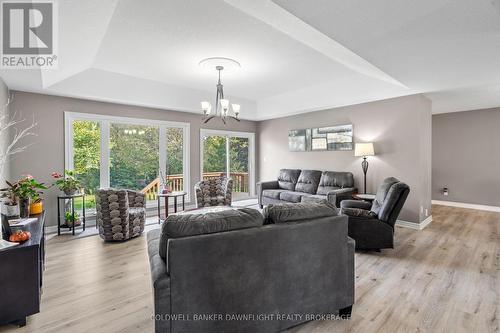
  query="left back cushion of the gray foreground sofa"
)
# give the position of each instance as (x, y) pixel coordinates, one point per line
(206, 221)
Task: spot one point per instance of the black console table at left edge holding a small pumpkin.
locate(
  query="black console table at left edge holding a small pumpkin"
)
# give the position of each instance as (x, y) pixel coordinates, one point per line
(21, 269)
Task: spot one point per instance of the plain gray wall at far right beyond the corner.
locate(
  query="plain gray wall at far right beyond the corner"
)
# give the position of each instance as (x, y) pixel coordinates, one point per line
(466, 156)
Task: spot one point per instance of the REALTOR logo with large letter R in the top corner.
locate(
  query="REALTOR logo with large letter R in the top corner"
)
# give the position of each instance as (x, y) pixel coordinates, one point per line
(28, 35)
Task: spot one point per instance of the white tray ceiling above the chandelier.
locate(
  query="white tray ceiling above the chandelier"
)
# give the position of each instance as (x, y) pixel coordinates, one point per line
(296, 55)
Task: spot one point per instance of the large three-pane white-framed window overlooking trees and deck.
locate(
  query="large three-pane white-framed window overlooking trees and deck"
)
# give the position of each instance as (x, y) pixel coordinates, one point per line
(106, 151)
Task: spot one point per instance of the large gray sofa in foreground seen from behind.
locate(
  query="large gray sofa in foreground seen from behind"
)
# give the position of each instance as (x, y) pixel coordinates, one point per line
(208, 268)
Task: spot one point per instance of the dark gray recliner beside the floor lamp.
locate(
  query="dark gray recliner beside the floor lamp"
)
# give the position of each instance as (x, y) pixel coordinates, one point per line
(371, 225)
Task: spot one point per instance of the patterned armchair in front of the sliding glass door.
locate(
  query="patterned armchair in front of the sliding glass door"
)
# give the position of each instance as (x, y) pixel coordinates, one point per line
(214, 192)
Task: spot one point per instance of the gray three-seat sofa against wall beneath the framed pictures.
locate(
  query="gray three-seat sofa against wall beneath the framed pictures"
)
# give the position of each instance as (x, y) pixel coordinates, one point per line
(306, 185)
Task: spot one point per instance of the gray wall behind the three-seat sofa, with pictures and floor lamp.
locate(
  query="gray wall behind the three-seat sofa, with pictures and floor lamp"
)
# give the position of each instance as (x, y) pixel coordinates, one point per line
(400, 128)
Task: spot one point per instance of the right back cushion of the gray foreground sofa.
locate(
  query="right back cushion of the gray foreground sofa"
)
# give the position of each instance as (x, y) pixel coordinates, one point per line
(294, 212)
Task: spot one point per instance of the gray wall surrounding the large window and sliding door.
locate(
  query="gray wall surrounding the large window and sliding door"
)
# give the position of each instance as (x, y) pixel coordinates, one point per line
(47, 153)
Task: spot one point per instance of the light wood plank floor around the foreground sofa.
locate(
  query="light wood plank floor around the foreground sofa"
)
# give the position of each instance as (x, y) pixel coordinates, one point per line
(445, 278)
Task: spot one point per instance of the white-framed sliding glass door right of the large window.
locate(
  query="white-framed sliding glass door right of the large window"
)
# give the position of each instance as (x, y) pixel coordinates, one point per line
(230, 154)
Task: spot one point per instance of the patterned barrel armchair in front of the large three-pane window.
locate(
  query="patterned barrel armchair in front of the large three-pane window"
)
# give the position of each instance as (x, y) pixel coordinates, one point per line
(121, 214)
